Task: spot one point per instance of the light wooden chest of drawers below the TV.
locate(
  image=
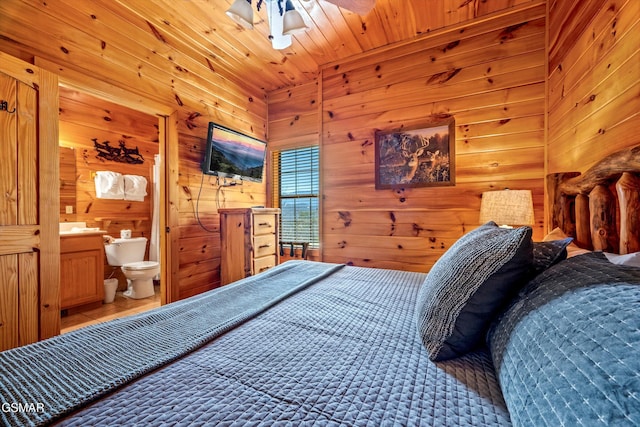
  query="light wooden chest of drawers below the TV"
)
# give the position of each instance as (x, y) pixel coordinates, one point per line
(249, 242)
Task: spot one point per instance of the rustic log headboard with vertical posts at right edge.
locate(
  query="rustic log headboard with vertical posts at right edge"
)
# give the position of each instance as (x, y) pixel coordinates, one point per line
(600, 208)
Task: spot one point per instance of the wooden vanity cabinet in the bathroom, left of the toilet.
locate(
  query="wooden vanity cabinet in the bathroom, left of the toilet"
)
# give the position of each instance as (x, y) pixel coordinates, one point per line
(81, 270)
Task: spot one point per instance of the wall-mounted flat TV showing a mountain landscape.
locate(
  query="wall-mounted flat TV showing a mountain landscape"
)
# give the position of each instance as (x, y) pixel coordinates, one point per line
(230, 154)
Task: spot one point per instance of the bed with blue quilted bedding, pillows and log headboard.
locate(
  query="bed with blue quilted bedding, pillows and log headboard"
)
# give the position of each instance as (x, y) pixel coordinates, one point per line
(502, 331)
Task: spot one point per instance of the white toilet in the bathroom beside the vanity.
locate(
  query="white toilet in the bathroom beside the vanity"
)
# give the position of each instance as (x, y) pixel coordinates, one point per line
(128, 254)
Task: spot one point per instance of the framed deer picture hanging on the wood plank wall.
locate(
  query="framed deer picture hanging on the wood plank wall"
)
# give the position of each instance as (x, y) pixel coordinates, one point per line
(416, 157)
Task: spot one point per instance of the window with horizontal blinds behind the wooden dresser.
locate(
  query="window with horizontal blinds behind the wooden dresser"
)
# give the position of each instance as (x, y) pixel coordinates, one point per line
(296, 193)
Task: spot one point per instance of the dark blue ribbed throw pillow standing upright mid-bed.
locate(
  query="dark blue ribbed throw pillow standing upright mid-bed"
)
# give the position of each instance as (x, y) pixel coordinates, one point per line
(468, 285)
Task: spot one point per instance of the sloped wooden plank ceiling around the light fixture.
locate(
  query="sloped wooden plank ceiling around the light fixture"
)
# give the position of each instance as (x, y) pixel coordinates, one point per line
(198, 37)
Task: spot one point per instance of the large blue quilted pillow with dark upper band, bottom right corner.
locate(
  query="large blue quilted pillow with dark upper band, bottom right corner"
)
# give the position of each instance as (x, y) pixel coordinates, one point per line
(567, 352)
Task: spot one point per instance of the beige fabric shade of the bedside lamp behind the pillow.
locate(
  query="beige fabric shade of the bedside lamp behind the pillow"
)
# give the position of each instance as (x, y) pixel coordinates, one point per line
(507, 207)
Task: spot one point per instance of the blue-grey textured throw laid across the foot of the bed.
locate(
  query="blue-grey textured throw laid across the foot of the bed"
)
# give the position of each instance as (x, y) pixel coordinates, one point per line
(45, 380)
